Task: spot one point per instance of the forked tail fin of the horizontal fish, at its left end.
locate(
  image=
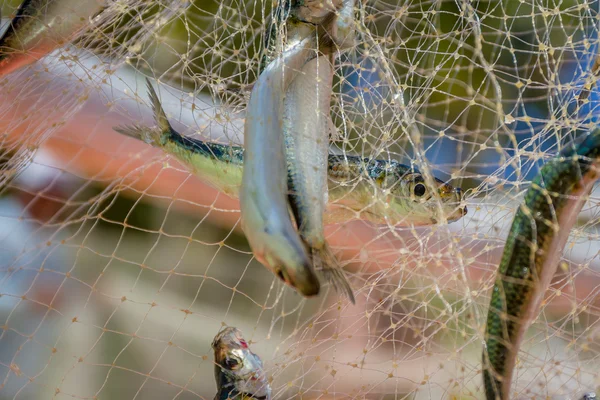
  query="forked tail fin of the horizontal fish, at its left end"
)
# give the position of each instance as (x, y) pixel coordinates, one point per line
(157, 135)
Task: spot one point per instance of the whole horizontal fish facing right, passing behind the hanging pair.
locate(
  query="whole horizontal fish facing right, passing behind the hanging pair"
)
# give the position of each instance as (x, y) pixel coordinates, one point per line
(376, 190)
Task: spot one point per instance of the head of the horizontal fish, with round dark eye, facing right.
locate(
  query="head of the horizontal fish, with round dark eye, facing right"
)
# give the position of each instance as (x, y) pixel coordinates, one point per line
(412, 201)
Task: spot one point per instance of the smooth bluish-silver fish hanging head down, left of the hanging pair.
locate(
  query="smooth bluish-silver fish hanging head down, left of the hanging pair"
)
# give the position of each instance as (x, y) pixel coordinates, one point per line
(265, 216)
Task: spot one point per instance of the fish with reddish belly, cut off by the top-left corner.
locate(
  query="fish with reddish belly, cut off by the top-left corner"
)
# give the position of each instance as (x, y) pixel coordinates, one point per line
(41, 26)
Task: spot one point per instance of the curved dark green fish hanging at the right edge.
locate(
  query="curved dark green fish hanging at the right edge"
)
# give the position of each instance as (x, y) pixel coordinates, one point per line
(545, 218)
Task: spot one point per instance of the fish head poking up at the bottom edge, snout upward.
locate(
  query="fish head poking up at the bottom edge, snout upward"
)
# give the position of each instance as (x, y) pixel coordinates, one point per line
(239, 373)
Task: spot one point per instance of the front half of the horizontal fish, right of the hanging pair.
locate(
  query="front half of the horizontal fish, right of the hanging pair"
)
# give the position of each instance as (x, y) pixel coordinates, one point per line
(387, 192)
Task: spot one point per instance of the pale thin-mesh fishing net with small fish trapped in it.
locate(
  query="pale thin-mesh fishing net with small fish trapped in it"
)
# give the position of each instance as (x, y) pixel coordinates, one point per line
(118, 266)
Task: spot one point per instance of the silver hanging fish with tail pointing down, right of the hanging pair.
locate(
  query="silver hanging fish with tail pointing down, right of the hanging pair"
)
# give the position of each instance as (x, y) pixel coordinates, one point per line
(306, 129)
